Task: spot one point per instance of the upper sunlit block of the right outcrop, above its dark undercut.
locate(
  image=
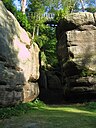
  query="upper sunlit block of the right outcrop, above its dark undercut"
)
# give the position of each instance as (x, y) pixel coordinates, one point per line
(76, 39)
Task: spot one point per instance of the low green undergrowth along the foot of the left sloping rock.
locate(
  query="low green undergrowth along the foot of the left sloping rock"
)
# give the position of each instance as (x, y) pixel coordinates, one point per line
(20, 109)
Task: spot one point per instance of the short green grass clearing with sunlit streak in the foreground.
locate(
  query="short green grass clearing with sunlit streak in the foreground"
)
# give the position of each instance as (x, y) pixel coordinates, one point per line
(54, 116)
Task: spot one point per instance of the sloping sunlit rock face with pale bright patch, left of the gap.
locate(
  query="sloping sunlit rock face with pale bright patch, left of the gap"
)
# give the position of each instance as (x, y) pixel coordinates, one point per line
(19, 65)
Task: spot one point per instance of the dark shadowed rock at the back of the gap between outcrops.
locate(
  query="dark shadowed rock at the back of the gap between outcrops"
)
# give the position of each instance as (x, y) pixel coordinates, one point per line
(51, 91)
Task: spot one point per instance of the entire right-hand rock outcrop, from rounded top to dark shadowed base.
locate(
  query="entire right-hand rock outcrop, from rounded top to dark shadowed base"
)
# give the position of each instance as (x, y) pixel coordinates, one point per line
(76, 50)
